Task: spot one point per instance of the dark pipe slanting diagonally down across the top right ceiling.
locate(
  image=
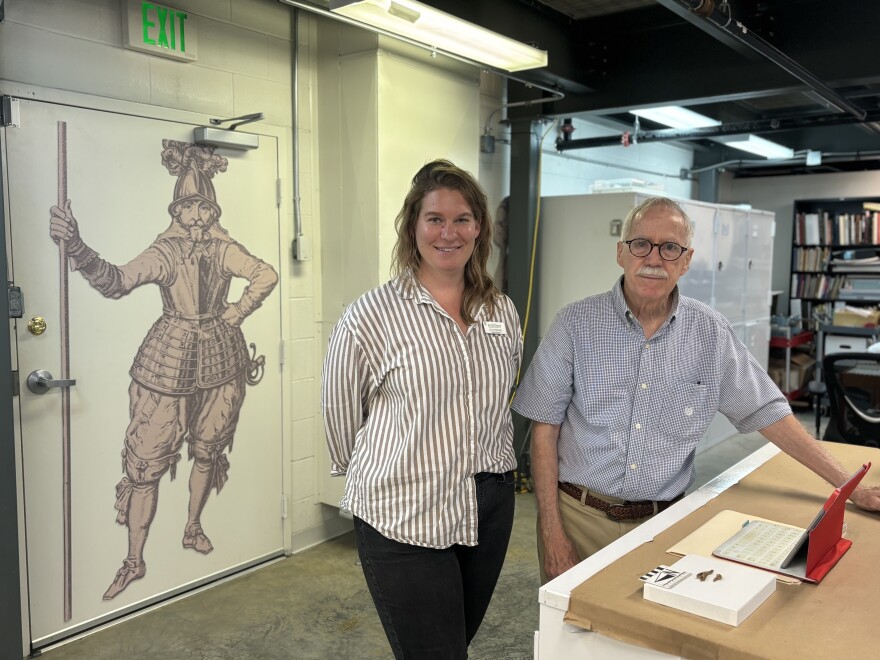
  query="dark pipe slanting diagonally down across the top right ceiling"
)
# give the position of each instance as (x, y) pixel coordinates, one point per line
(704, 14)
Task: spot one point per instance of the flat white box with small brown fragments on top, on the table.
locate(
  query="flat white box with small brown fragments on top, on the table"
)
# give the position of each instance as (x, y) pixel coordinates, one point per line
(692, 584)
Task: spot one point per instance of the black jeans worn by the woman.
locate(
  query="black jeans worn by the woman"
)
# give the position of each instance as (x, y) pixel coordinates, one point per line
(431, 602)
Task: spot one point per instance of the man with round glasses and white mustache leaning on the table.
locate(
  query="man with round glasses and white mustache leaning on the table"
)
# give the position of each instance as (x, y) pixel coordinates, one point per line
(622, 389)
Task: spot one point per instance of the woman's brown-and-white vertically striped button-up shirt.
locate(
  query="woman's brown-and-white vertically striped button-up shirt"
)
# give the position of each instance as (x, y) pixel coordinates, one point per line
(414, 408)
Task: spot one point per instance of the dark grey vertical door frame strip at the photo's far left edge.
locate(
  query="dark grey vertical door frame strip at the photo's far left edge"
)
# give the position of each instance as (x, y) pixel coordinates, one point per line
(11, 641)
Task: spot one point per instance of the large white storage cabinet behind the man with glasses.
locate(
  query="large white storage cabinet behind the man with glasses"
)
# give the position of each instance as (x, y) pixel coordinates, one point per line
(730, 269)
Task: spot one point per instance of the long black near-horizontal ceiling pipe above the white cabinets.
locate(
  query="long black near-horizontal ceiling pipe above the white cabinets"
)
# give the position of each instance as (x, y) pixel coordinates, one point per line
(755, 126)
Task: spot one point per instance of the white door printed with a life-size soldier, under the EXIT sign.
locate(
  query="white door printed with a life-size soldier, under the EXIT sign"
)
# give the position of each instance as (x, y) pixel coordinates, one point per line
(161, 370)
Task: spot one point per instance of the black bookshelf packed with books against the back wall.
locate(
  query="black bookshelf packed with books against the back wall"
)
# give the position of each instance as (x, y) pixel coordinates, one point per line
(835, 256)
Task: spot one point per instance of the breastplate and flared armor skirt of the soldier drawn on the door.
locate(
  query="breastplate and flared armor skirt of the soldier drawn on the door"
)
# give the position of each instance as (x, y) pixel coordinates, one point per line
(190, 347)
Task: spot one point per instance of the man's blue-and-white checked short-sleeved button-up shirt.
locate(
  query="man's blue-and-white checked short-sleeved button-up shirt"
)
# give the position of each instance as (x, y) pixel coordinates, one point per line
(632, 410)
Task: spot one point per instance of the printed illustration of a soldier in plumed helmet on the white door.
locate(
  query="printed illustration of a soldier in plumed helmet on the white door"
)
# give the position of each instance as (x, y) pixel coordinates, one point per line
(189, 376)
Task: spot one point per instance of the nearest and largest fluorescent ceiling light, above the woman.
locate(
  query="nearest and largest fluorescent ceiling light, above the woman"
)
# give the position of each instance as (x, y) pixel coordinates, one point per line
(441, 31)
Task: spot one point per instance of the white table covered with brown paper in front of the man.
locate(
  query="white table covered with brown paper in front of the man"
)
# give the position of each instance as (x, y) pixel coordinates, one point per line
(605, 590)
